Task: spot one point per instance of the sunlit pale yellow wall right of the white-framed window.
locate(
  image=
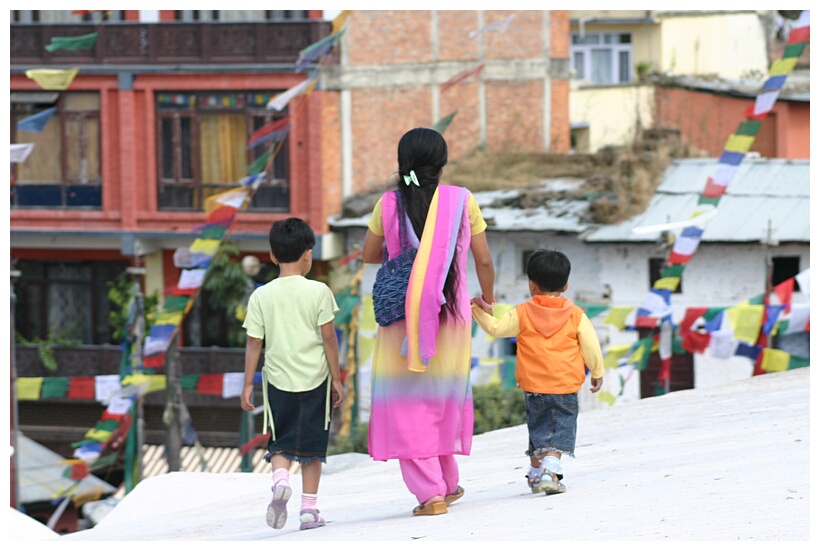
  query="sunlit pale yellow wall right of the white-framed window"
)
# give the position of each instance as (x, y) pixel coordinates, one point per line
(728, 45)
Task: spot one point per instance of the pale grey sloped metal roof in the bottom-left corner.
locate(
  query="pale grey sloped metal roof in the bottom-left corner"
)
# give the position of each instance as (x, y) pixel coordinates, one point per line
(41, 477)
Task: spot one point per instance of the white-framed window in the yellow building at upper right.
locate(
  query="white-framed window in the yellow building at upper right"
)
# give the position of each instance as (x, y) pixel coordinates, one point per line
(603, 58)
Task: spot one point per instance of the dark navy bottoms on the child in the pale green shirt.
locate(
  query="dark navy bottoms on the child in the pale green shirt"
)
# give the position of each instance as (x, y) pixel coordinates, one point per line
(299, 423)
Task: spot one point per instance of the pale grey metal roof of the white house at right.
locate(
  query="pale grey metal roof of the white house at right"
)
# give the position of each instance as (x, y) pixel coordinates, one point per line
(762, 190)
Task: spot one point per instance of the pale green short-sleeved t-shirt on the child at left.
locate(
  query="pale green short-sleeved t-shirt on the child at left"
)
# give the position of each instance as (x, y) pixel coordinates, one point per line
(288, 314)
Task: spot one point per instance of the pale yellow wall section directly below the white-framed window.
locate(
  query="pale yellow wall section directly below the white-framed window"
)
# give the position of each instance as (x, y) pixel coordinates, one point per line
(612, 112)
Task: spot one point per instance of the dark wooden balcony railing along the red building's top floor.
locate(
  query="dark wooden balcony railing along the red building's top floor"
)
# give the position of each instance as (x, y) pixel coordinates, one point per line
(168, 43)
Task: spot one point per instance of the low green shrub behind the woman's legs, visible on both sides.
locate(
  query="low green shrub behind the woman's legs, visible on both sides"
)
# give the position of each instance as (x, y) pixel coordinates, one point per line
(495, 408)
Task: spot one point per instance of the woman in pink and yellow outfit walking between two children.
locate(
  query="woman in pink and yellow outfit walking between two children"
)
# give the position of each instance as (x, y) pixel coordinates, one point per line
(422, 406)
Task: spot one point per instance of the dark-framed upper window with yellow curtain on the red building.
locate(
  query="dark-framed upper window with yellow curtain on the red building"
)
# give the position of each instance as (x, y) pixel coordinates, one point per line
(203, 151)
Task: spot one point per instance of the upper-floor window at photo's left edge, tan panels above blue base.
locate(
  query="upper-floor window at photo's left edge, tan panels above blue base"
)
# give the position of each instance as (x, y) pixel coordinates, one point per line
(63, 169)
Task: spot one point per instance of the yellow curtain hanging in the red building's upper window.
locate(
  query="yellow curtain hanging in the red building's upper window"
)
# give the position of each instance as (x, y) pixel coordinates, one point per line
(223, 138)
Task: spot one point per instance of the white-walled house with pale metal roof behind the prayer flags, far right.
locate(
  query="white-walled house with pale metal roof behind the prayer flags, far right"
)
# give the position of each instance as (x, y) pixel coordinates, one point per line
(764, 213)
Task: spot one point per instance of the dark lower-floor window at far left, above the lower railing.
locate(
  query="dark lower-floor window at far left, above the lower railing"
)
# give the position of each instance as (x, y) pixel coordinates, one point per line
(68, 299)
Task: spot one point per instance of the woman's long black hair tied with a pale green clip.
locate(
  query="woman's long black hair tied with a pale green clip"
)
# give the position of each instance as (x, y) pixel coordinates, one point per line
(424, 151)
